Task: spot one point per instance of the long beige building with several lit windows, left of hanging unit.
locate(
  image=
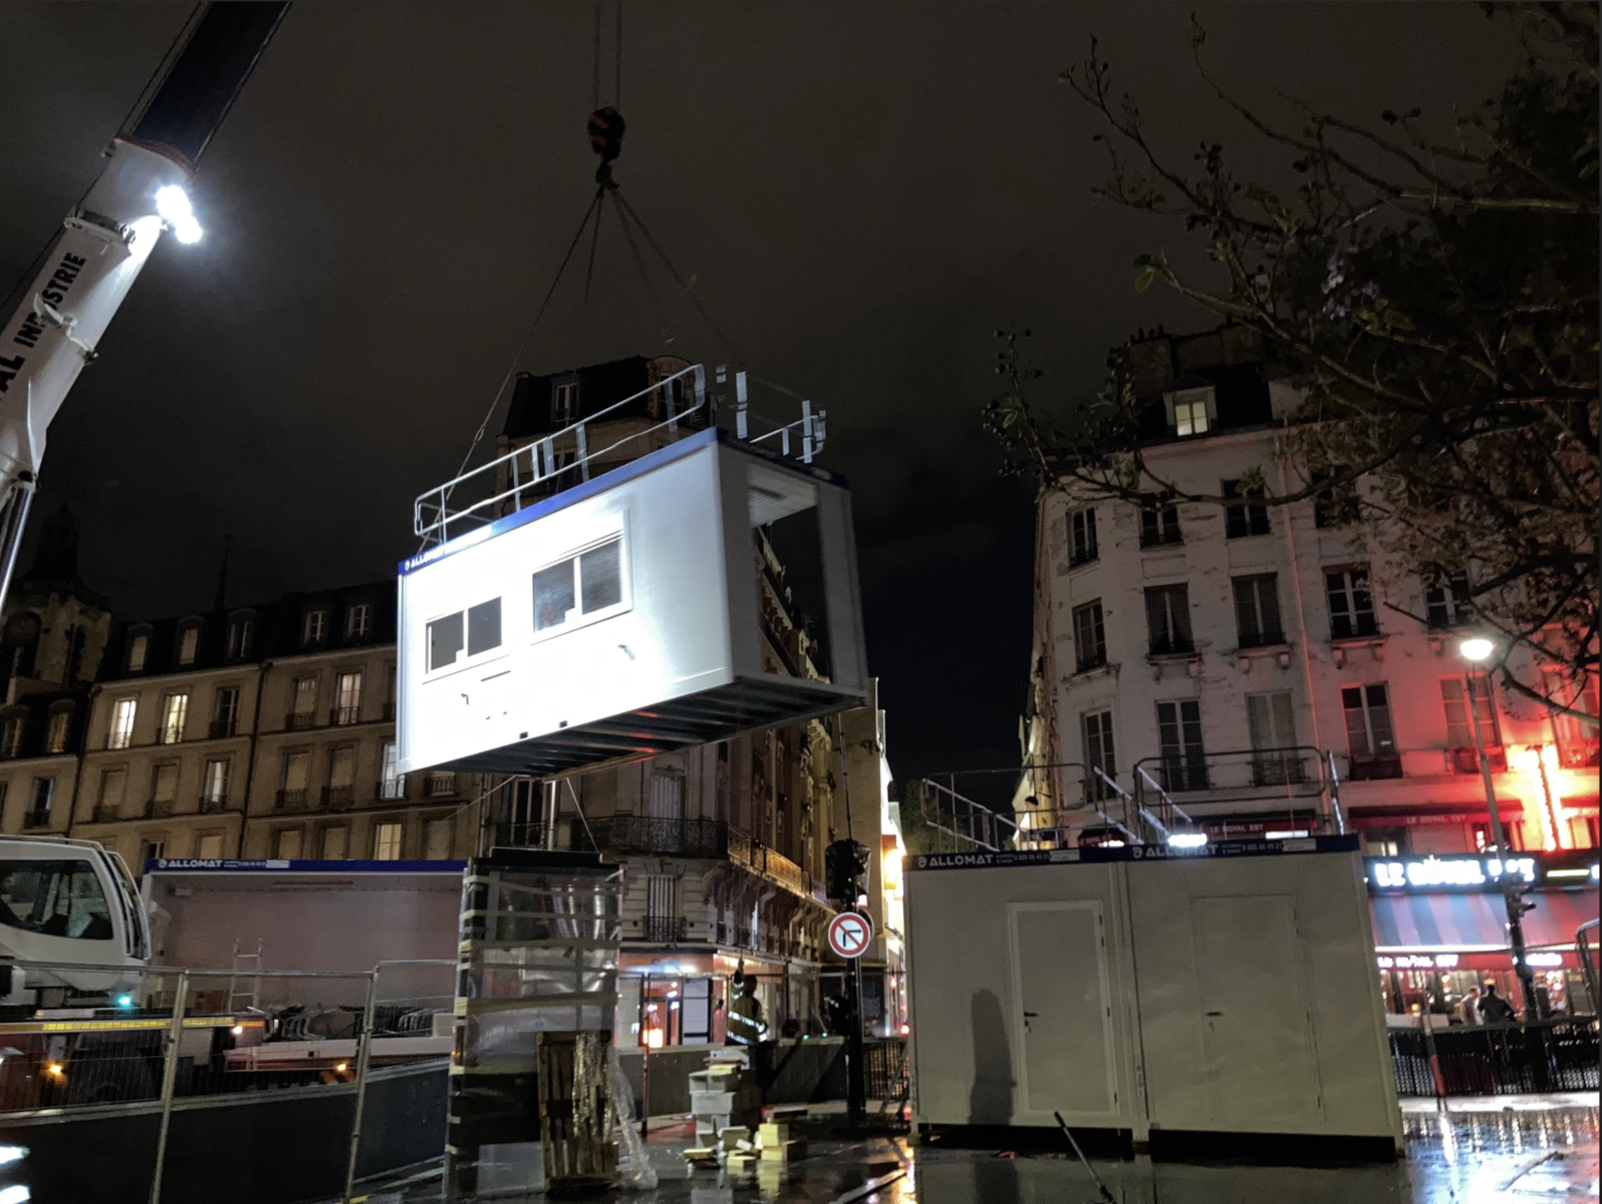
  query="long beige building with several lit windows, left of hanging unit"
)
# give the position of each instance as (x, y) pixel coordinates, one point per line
(248, 732)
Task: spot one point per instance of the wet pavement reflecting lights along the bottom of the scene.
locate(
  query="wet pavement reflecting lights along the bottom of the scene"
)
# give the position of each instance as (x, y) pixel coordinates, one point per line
(1507, 1157)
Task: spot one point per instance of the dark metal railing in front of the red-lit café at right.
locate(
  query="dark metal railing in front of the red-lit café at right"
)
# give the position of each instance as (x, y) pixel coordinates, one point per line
(1540, 1056)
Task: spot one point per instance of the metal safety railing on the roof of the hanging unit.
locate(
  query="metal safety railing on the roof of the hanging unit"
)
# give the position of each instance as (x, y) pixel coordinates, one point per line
(566, 457)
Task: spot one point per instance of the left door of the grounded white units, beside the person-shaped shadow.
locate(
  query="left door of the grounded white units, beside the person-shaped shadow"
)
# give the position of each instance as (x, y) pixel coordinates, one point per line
(1060, 990)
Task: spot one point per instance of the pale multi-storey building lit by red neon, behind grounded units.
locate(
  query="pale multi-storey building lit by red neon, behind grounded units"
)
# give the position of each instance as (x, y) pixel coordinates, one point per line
(1268, 668)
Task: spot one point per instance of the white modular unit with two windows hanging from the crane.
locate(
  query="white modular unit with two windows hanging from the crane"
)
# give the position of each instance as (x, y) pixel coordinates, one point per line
(621, 619)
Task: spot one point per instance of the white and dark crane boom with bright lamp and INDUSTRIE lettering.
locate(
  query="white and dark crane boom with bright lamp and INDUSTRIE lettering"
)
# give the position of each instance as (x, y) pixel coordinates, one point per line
(108, 238)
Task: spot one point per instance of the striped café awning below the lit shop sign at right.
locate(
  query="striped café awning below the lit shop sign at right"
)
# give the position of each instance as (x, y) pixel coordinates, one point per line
(1468, 923)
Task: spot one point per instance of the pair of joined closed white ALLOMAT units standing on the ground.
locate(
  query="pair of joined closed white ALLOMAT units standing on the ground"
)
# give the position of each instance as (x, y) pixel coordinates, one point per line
(1172, 997)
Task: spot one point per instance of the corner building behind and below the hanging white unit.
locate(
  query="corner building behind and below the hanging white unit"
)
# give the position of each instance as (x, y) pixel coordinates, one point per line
(723, 845)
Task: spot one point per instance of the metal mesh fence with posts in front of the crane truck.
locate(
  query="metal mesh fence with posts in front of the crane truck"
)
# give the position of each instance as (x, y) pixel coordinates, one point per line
(131, 1040)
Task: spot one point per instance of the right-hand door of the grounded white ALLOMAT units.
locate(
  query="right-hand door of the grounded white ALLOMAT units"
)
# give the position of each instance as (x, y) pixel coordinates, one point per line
(1257, 1024)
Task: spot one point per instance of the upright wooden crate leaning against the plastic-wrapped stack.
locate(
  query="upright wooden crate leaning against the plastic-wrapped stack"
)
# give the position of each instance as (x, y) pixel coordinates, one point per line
(576, 1131)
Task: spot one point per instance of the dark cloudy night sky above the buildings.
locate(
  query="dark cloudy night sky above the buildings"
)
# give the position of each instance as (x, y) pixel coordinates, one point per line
(863, 193)
